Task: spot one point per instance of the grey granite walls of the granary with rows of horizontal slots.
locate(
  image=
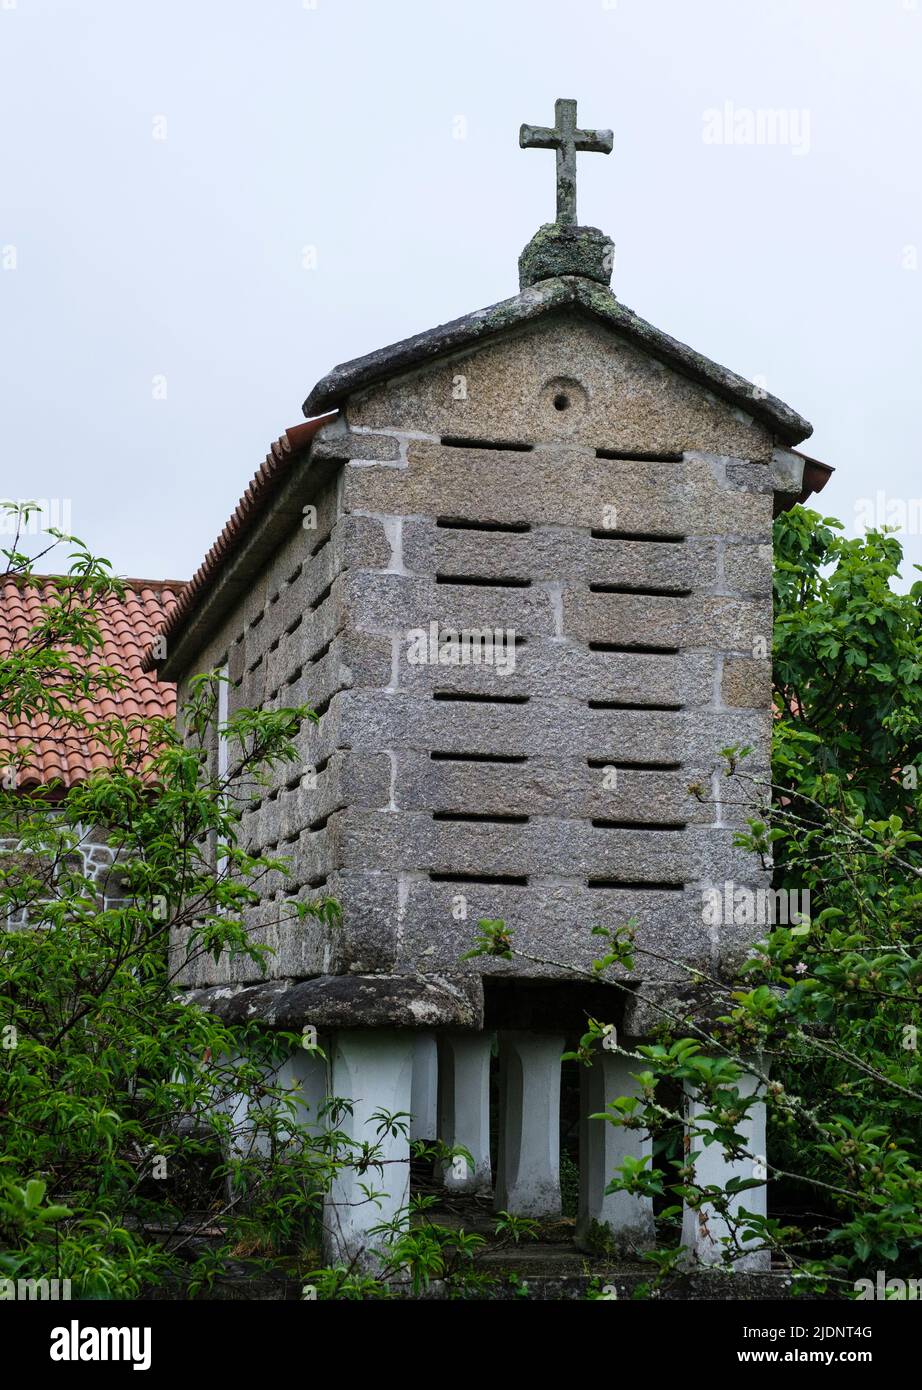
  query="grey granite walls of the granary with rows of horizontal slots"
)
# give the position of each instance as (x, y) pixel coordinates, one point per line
(617, 518)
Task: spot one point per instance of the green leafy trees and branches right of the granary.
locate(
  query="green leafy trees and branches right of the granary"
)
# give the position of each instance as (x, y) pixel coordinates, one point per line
(827, 1013)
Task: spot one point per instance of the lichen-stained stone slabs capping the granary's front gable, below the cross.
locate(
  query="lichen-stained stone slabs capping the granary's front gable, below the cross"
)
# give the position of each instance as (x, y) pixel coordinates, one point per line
(567, 293)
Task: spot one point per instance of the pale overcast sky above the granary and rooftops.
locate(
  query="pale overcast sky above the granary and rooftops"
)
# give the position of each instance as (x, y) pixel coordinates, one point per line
(169, 167)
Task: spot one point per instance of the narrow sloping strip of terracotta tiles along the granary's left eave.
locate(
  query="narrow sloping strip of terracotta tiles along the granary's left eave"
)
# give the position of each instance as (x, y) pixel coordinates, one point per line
(266, 482)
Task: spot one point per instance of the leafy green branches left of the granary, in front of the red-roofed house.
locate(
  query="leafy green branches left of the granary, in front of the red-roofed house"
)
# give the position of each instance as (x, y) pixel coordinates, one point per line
(143, 1143)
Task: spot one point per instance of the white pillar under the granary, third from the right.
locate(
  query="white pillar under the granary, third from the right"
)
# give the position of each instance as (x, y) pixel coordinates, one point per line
(529, 1168)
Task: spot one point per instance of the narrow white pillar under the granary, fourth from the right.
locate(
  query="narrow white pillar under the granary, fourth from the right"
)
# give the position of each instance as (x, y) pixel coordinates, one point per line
(464, 1109)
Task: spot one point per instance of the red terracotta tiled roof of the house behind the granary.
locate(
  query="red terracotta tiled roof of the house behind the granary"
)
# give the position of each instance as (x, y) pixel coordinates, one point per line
(129, 626)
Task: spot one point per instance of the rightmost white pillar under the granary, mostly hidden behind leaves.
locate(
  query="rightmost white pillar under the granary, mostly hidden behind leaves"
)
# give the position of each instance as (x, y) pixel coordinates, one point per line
(703, 1231)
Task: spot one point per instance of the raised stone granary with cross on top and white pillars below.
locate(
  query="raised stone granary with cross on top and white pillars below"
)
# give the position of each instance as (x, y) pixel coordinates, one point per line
(521, 566)
